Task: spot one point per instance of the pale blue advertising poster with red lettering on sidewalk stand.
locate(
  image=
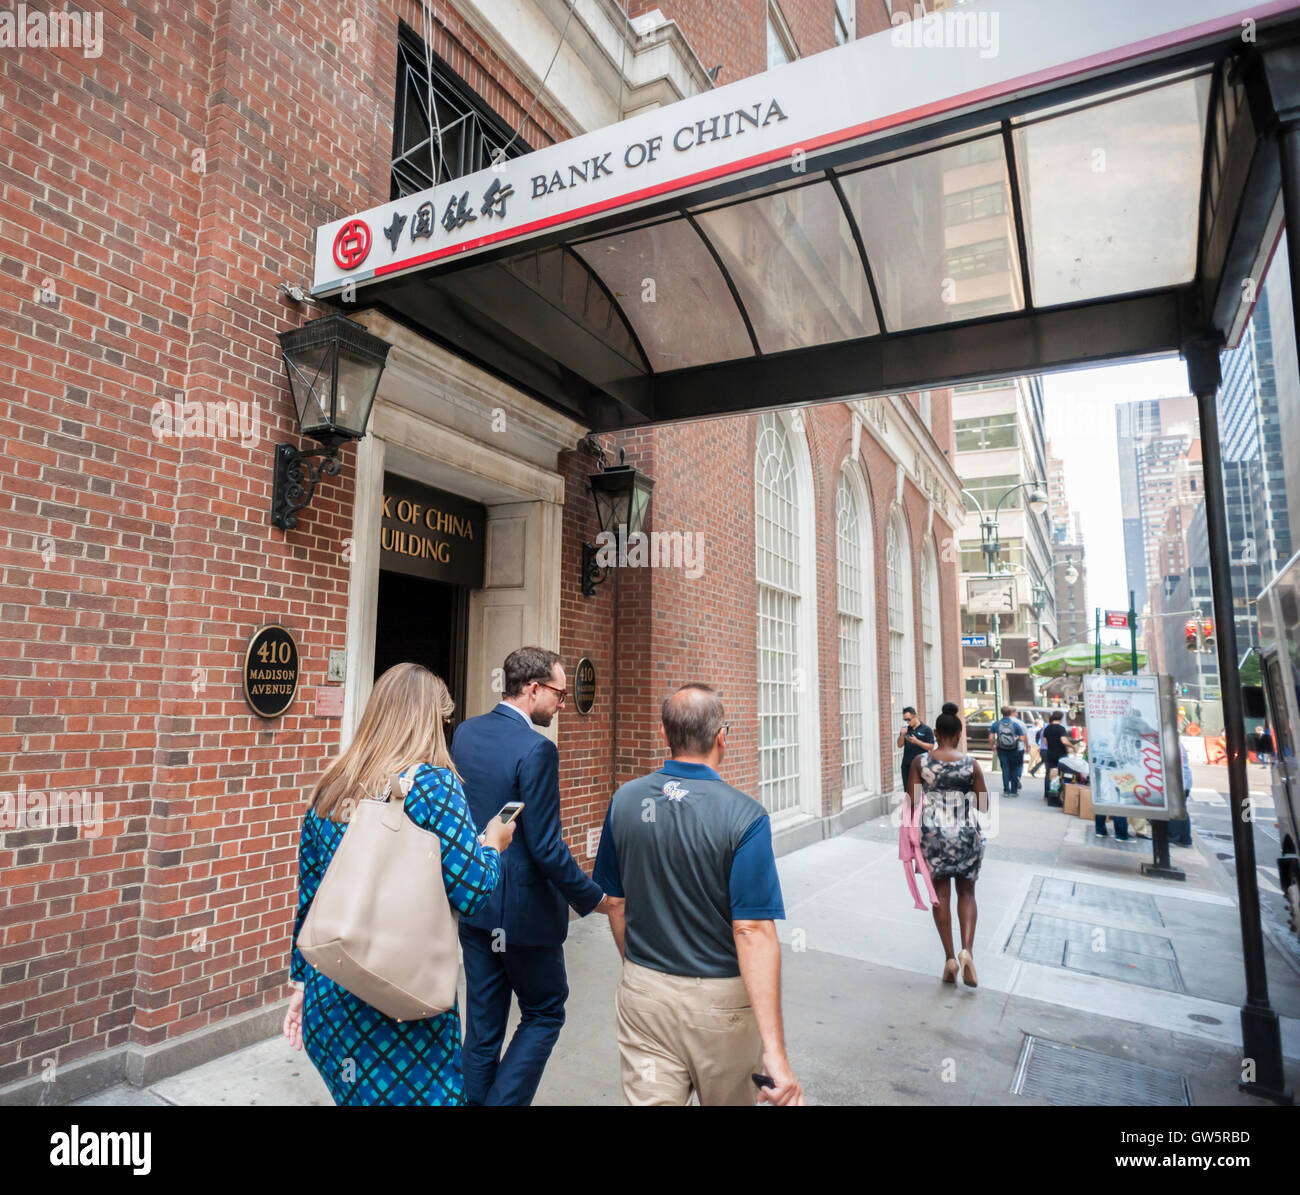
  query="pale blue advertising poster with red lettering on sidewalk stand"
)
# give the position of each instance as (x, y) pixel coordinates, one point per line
(1133, 747)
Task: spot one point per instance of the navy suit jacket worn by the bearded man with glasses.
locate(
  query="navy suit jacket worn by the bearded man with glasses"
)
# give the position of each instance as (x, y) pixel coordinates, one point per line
(502, 759)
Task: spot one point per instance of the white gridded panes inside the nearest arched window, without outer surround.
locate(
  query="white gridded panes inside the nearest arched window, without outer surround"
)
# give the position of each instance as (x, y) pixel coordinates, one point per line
(777, 544)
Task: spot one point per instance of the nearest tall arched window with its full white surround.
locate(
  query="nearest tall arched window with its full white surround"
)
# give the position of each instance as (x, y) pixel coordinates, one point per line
(788, 768)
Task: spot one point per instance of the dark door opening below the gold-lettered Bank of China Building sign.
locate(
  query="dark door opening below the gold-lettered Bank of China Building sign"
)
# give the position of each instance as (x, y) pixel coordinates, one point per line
(424, 622)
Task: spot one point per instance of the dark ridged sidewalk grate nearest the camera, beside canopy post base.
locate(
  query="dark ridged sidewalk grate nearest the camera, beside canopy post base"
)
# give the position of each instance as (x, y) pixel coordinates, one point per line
(1065, 1075)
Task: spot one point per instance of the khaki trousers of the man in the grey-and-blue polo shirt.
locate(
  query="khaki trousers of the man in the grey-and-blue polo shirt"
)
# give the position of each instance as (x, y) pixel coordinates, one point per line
(681, 1036)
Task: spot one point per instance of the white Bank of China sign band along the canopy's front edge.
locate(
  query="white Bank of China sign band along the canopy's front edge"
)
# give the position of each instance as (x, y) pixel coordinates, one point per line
(912, 75)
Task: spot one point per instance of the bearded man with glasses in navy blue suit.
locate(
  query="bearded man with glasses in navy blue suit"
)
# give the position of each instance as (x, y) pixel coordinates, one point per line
(514, 945)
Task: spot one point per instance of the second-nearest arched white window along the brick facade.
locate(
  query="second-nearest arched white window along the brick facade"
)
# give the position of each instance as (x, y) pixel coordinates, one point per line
(860, 717)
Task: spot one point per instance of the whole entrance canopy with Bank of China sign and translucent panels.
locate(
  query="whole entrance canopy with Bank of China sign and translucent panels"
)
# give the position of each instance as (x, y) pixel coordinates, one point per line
(1102, 185)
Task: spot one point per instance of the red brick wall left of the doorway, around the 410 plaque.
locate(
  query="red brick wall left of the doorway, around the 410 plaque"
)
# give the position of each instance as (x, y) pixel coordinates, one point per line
(136, 569)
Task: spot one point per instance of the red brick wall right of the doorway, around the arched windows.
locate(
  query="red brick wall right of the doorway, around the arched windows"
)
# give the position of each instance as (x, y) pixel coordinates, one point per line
(673, 630)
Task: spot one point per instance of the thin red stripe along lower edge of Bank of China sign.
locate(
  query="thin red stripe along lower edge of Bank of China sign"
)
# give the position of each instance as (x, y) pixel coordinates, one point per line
(939, 107)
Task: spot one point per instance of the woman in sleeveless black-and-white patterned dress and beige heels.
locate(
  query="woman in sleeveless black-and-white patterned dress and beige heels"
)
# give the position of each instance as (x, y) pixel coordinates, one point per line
(950, 787)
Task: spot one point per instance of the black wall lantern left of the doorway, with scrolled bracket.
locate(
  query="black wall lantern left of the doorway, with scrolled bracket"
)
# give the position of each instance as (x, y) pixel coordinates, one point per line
(335, 369)
